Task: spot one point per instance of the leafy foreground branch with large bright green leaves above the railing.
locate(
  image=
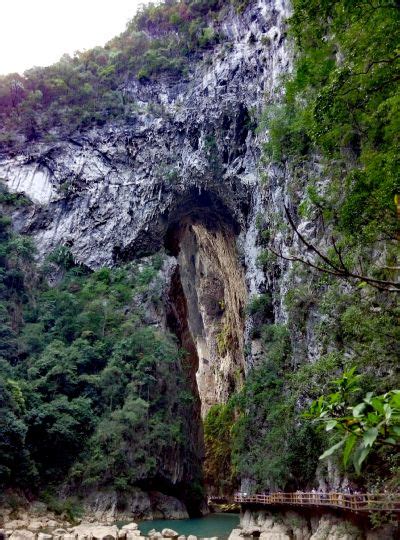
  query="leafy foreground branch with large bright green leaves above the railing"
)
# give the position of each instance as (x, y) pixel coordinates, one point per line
(360, 426)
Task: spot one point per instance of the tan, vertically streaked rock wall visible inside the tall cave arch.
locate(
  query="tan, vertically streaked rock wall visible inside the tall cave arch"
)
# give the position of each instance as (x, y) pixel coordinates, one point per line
(213, 284)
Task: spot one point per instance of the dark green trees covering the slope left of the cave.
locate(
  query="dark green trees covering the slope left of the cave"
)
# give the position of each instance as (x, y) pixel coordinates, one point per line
(89, 392)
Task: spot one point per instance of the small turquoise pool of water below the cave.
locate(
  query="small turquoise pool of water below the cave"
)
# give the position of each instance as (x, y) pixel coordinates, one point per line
(212, 525)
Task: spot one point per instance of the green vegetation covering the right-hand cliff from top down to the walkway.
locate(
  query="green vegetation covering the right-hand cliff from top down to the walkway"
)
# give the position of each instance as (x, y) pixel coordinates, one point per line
(341, 106)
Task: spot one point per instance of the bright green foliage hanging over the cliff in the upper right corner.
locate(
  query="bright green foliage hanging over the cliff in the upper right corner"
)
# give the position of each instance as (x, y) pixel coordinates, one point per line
(343, 101)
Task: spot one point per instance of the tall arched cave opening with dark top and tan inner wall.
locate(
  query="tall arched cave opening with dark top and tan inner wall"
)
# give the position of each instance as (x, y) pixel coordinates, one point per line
(206, 301)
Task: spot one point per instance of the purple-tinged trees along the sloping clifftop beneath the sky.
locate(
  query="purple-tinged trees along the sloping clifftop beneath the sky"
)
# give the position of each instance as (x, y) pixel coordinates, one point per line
(88, 88)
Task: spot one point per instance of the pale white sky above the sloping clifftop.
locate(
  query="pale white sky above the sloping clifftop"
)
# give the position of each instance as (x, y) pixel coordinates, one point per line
(39, 32)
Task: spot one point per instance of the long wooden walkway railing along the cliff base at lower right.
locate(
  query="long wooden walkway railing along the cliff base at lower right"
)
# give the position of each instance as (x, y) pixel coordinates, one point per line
(363, 502)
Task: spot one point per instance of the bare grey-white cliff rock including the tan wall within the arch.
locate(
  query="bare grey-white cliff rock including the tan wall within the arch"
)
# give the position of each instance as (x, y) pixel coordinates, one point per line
(185, 164)
